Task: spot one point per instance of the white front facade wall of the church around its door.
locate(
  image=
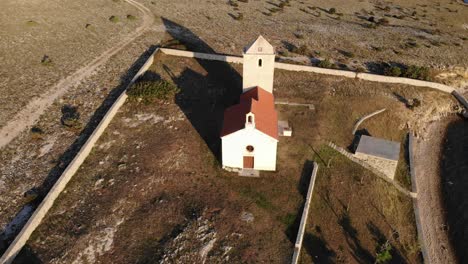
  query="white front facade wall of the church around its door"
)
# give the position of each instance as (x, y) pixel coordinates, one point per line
(234, 149)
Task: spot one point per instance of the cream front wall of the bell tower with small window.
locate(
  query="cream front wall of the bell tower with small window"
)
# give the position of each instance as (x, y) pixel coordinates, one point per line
(256, 75)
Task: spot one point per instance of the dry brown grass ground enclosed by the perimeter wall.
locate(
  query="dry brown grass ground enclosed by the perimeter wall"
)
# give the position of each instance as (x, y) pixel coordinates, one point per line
(152, 189)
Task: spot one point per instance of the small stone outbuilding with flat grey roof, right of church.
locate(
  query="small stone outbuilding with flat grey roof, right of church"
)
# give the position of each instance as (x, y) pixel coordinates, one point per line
(380, 154)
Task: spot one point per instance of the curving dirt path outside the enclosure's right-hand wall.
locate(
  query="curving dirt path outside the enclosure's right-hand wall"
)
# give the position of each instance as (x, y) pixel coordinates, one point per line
(428, 181)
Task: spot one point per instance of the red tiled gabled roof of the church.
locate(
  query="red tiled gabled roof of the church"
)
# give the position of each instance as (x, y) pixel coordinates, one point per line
(259, 102)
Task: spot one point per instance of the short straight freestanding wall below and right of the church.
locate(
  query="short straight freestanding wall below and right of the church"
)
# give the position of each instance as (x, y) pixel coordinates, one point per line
(305, 214)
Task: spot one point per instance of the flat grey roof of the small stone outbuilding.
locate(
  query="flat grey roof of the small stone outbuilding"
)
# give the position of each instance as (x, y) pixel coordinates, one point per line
(379, 147)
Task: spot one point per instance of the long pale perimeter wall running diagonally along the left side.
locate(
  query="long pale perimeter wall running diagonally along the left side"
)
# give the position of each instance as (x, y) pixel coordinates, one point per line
(68, 173)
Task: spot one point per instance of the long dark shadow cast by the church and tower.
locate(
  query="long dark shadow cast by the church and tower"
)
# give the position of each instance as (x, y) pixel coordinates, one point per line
(203, 98)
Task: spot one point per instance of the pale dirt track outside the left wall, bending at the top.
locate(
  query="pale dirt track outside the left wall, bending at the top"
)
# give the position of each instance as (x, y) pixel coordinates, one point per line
(31, 113)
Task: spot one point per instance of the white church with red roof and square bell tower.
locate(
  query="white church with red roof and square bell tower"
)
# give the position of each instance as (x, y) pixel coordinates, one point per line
(249, 136)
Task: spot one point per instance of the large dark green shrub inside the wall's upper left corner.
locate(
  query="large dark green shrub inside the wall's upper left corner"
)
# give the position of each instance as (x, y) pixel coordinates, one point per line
(150, 90)
